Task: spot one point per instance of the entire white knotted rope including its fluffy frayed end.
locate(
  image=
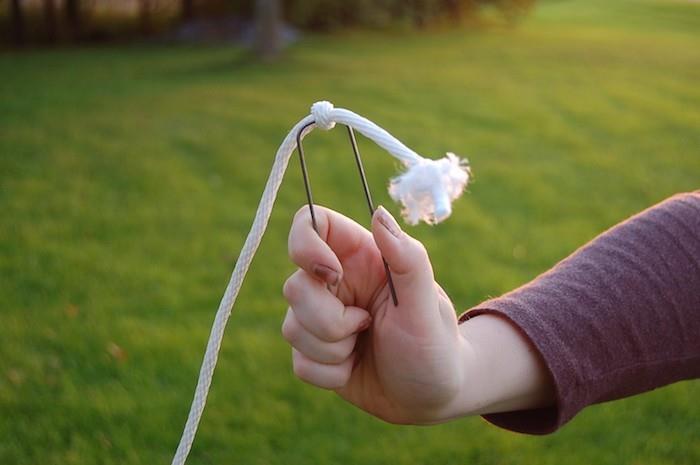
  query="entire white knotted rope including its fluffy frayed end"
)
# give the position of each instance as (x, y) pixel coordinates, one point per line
(426, 191)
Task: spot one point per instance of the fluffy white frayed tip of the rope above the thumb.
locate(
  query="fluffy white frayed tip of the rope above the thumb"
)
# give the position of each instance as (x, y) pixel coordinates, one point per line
(426, 190)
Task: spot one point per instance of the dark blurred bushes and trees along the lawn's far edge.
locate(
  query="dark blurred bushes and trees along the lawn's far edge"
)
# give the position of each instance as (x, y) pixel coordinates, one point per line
(51, 21)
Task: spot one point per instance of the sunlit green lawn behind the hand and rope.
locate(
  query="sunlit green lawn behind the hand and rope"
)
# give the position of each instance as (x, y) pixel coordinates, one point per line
(129, 177)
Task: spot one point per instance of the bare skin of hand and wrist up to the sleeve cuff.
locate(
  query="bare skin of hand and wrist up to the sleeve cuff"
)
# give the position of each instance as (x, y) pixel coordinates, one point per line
(406, 364)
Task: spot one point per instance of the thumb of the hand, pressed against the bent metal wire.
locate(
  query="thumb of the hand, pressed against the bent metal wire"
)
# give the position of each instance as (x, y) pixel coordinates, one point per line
(409, 264)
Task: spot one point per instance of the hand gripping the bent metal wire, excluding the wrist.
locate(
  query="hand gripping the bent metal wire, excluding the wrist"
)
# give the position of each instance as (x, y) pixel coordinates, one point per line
(405, 363)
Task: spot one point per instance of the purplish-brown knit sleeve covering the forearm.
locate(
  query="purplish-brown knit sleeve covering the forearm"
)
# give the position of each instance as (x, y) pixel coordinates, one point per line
(618, 317)
